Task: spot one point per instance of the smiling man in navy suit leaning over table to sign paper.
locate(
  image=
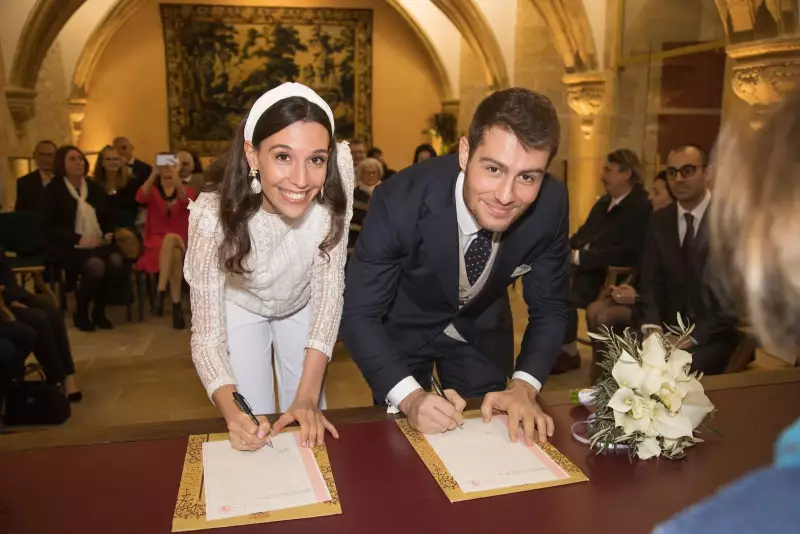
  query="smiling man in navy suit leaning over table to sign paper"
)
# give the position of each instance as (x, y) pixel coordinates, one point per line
(440, 247)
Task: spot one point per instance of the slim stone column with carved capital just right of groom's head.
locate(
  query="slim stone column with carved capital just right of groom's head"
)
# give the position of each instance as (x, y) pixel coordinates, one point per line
(586, 96)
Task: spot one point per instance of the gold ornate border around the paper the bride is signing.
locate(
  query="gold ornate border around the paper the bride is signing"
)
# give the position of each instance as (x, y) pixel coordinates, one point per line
(190, 509)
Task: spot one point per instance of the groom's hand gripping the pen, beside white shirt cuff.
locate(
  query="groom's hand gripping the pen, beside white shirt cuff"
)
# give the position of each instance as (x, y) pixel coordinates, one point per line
(431, 414)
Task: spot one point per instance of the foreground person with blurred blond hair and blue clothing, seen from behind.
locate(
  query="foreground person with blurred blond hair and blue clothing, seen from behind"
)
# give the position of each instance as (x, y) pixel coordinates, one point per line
(753, 221)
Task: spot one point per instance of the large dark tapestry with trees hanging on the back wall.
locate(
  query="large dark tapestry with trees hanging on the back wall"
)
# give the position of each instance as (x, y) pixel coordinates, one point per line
(220, 59)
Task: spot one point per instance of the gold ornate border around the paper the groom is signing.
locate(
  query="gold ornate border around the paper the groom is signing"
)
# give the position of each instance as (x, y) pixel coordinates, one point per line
(449, 485)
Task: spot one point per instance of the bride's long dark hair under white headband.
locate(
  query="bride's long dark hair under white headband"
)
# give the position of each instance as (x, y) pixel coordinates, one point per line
(229, 177)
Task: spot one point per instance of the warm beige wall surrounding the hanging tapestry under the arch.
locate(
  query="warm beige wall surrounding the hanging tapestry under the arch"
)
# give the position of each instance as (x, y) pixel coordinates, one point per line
(128, 89)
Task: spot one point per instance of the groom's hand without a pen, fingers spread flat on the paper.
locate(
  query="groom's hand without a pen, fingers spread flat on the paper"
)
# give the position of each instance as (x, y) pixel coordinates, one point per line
(518, 401)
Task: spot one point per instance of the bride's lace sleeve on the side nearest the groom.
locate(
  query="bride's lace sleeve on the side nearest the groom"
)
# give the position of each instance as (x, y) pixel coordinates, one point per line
(327, 277)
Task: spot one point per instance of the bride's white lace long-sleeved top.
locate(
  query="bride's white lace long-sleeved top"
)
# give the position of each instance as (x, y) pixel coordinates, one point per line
(288, 272)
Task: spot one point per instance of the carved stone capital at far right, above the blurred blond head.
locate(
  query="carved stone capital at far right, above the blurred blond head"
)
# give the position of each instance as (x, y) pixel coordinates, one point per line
(765, 70)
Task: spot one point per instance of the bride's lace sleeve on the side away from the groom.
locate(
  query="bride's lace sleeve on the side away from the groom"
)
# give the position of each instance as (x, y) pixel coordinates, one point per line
(207, 291)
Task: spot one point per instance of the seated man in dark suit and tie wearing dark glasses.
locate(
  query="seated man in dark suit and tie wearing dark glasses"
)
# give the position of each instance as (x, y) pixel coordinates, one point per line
(674, 277)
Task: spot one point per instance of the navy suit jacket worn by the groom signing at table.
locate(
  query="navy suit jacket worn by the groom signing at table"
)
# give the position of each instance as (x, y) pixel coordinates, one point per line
(402, 281)
